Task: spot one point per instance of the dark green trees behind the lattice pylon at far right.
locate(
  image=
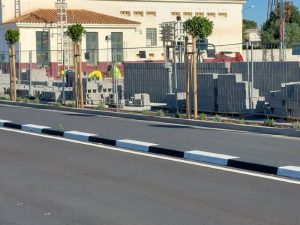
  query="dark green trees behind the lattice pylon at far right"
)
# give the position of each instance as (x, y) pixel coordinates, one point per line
(270, 32)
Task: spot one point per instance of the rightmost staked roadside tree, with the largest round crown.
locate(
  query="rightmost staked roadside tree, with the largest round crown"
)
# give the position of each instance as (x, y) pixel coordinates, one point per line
(199, 28)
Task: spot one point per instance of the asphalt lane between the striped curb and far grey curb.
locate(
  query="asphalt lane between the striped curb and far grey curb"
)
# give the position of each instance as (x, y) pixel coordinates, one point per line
(259, 148)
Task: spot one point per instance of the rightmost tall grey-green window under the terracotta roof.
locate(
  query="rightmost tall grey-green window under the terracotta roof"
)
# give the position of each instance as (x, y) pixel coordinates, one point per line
(117, 46)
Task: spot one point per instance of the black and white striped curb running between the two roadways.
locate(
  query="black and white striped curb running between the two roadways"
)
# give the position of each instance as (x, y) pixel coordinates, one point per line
(194, 155)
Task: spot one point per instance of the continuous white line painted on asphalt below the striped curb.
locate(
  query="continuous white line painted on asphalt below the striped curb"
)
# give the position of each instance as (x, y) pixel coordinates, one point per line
(146, 154)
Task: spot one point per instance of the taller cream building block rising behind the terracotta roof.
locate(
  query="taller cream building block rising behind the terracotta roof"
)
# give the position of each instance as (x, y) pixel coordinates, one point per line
(226, 15)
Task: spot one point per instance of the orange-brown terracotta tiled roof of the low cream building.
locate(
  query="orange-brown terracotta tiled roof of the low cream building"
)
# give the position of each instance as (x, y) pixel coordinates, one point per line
(74, 16)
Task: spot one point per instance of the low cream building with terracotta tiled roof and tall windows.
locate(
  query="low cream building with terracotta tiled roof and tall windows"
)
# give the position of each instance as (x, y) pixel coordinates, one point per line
(39, 34)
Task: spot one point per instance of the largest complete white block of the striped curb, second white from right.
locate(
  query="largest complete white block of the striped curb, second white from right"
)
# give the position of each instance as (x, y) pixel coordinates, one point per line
(208, 157)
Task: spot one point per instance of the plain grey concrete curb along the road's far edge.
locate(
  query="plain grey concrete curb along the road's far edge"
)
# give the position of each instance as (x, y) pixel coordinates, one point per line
(157, 122)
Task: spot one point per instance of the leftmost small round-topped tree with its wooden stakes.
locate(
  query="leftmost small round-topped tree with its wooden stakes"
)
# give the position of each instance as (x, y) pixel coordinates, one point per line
(12, 36)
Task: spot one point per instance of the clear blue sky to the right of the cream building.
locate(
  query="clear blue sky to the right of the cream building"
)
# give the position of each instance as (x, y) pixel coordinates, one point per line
(259, 12)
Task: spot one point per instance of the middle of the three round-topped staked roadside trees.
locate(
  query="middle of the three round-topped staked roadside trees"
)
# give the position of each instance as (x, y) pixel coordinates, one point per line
(76, 32)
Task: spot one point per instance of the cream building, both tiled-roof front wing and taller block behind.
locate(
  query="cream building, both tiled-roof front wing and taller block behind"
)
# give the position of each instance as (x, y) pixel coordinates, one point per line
(115, 24)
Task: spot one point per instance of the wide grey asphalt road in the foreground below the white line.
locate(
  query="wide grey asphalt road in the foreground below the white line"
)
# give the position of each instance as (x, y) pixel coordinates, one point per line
(46, 181)
